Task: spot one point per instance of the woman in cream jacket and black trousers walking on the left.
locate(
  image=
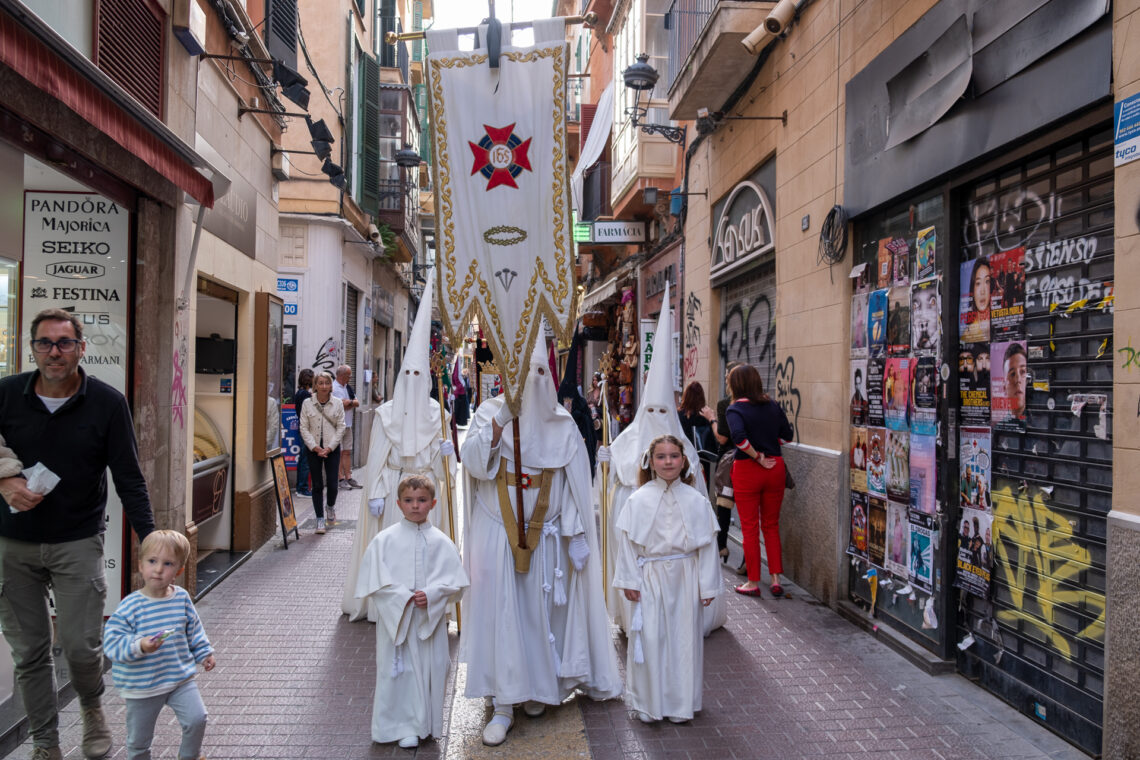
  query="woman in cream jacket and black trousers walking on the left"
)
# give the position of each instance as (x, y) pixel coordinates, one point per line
(322, 430)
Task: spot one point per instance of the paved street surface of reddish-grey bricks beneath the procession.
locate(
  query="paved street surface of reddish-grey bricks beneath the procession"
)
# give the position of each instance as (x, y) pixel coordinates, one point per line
(785, 680)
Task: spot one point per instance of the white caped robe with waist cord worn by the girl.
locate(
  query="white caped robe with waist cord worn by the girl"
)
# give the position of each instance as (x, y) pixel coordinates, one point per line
(667, 551)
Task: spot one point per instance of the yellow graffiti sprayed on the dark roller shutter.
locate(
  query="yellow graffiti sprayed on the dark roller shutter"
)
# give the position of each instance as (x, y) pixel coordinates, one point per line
(1040, 562)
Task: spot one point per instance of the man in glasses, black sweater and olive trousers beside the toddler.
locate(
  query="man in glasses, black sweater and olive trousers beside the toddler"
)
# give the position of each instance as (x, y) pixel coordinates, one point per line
(75, 427)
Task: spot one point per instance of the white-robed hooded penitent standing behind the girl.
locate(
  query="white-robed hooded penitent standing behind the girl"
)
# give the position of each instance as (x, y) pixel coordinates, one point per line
(657, 415)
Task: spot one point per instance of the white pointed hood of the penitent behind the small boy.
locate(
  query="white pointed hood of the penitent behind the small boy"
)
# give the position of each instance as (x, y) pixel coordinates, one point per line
(412, 419)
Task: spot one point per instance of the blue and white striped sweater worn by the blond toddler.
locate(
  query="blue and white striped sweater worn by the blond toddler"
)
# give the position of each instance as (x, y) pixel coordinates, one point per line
(137, 675)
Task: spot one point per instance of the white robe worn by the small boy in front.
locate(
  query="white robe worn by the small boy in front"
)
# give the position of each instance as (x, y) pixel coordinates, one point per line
(412, 657)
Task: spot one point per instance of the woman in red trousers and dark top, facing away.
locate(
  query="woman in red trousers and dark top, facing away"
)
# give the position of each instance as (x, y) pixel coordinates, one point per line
(758, 427)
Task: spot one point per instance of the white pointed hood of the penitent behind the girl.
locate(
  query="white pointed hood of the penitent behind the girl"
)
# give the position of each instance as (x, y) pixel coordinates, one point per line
(657, 414)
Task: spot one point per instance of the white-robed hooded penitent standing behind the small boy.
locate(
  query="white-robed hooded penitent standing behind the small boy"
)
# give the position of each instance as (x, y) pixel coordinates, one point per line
(405, 442)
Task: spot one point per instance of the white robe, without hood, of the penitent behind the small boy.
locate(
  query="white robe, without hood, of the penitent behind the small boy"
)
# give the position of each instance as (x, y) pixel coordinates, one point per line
(387, 467)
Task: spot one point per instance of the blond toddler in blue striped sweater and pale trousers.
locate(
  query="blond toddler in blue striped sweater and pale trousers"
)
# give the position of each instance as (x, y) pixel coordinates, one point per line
(156, 641)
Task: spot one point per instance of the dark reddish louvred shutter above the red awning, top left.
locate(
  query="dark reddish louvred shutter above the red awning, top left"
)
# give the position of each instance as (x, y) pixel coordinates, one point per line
(131, 48)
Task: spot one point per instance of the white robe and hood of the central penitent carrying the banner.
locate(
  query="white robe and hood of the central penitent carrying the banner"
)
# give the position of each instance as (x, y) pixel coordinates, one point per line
(540, 635)
